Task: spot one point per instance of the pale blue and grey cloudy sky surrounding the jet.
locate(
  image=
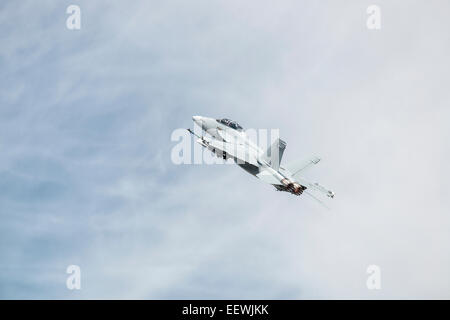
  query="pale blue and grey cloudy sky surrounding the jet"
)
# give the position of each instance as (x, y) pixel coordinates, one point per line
(86, 176)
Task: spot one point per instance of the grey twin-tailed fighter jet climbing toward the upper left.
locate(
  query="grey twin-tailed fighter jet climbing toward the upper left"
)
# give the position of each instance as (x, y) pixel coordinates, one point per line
(227, 139)
